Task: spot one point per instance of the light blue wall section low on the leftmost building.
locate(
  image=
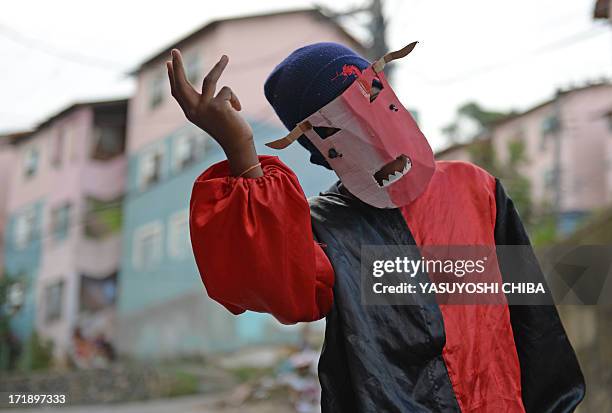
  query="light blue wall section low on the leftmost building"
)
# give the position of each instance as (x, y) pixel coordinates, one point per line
(23, 264)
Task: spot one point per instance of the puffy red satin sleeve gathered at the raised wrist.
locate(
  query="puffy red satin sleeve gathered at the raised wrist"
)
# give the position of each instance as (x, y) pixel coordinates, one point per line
(253, 244)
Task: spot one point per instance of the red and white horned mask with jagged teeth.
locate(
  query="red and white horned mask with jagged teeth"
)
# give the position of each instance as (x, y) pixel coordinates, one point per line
(370, 140)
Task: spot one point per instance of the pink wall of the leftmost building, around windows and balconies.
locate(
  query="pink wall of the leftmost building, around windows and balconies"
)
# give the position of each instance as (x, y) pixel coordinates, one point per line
(77, 177)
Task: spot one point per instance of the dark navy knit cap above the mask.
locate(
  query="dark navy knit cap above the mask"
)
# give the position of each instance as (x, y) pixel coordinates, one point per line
(308, 79)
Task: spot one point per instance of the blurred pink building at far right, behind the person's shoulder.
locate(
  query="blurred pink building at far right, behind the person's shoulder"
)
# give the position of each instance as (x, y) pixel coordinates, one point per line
(578, 121)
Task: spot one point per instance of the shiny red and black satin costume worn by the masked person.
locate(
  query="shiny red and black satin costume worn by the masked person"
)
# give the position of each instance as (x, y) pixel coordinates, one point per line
(261, 246)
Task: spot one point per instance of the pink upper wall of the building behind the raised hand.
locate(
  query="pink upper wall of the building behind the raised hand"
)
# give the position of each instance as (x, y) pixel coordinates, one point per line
(249, 65)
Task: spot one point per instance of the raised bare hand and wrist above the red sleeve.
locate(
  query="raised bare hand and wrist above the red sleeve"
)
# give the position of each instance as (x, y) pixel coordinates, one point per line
(217, 115)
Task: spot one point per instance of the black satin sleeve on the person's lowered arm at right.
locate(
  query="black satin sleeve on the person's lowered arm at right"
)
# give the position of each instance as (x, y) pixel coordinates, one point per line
(551, 378)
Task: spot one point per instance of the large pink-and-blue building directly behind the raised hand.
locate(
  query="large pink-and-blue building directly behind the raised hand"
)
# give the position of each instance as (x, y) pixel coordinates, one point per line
(163, 309)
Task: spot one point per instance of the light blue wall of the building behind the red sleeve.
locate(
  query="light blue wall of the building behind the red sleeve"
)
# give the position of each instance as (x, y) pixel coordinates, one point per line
(172, 278)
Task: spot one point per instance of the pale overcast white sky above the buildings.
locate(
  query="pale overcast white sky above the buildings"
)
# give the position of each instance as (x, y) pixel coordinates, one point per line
(503, 55)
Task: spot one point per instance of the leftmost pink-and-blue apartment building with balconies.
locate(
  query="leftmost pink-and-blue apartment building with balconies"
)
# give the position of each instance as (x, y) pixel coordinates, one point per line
(62, 239)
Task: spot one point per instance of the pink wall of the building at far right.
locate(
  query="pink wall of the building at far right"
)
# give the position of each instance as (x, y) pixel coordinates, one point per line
(586, 138)
